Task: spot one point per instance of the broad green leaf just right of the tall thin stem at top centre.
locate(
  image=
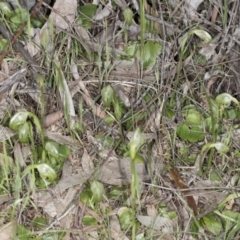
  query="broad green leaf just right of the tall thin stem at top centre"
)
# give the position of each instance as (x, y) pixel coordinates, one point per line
(151, 51)
